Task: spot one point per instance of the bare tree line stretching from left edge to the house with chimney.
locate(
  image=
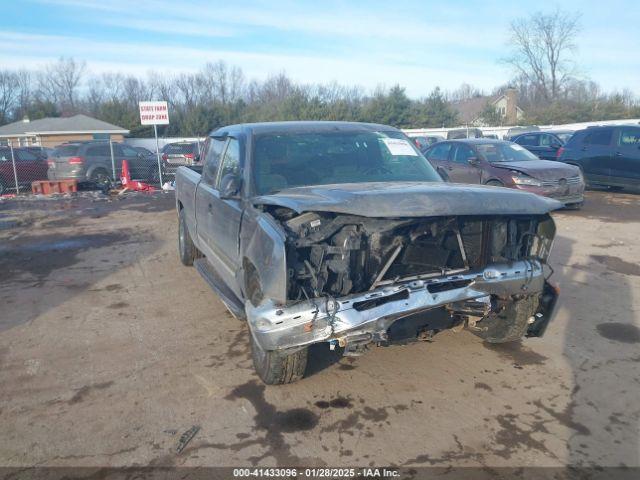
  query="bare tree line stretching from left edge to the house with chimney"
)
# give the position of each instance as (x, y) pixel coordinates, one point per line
(217, 95)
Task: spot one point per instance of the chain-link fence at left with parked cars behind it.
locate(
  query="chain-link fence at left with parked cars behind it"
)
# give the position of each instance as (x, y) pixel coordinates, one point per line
(92, 164)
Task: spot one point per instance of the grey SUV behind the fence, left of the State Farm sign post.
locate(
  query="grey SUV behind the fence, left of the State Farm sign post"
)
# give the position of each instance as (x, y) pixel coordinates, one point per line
(90, 162)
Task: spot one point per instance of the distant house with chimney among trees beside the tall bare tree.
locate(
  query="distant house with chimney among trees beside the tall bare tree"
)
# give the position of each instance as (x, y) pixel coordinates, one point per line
(470, 111)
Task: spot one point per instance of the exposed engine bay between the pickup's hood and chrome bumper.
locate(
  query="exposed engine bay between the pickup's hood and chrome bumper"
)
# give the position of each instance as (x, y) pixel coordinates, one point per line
(337, 255)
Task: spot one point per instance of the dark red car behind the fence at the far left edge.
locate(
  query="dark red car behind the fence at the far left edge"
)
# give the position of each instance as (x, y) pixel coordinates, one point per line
(29, 168)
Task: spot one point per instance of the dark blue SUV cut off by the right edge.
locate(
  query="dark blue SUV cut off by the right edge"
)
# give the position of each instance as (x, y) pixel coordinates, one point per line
(608, 156)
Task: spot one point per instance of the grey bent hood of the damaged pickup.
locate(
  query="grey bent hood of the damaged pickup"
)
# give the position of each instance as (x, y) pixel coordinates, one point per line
(409, 199)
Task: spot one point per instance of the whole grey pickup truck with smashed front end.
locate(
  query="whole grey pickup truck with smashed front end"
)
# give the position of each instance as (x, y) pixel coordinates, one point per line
(343, 233)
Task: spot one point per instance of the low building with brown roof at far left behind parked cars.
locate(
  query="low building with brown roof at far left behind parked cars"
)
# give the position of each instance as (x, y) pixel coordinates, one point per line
(50, 132)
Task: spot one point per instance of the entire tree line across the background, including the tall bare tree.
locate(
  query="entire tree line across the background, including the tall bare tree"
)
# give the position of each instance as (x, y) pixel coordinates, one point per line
(541, 53)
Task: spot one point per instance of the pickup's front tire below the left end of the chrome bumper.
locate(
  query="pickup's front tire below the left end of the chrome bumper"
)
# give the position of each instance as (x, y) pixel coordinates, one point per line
(277, 367)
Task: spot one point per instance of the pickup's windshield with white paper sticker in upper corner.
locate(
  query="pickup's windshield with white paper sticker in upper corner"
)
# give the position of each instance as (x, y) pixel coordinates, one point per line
(323, 158)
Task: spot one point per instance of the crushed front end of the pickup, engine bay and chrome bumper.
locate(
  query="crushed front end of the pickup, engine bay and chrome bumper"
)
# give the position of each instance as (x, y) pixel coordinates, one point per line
(355, 281)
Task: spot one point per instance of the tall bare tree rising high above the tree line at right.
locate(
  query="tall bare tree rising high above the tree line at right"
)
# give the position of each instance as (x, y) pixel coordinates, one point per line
(541, 48)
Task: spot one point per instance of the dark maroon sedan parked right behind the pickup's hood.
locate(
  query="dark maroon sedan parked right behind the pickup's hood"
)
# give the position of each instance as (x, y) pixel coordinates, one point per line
(506, 164)
